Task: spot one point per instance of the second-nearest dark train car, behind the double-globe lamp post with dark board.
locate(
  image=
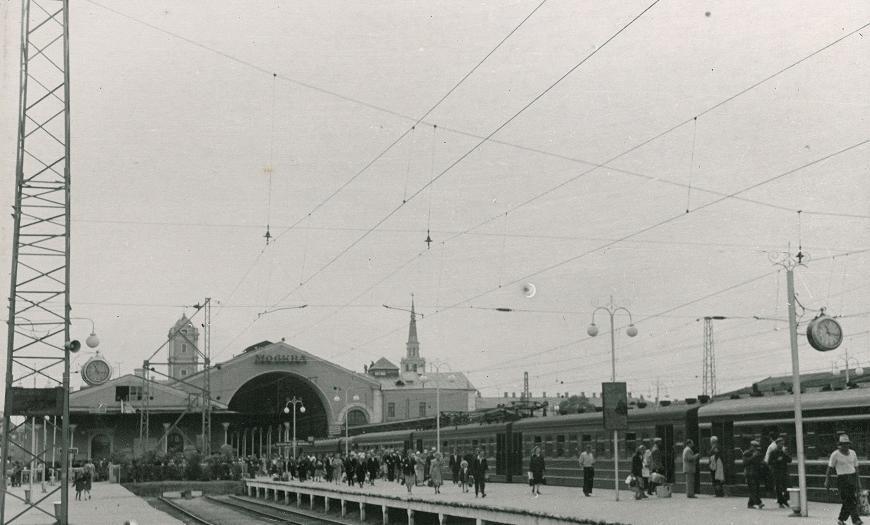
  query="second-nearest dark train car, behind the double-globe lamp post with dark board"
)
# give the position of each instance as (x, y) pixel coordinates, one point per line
(561, 438)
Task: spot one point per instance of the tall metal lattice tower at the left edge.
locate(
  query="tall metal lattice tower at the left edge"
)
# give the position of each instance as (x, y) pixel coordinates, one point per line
(39, 299)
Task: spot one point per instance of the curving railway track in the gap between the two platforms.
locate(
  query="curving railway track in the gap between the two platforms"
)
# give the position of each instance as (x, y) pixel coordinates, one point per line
(229, 510)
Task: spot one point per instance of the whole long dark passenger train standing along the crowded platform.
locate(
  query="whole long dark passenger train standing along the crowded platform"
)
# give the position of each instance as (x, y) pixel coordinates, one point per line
(736, 422)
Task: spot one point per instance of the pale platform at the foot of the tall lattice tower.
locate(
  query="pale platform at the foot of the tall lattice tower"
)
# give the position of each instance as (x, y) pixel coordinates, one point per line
(110, 504)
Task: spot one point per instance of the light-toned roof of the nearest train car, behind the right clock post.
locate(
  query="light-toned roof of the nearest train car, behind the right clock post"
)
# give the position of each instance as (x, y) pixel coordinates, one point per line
(837, 399)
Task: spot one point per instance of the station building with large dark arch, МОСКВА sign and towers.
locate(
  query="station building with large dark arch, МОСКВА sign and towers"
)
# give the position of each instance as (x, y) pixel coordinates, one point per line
(160, 409)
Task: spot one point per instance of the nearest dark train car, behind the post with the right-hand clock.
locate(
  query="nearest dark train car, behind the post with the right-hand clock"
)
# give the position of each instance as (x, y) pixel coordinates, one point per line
(826, 415)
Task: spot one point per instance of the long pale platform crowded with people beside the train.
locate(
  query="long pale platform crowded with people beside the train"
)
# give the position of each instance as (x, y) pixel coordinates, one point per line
(513, 503)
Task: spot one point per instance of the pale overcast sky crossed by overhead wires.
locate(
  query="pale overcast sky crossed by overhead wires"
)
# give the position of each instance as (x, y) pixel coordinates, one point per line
(656, 153)
